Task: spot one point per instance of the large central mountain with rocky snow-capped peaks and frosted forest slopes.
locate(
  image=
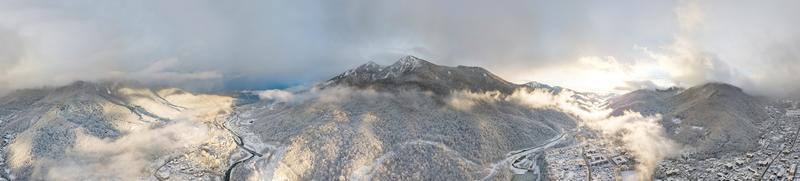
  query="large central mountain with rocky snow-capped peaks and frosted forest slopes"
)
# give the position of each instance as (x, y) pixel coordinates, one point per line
(398, 122)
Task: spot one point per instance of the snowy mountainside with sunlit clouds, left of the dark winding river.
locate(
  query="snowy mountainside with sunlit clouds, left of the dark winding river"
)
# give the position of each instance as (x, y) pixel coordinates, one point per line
(113, 131)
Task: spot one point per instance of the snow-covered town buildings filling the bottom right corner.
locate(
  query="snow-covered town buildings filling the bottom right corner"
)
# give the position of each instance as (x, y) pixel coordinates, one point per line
(776, 158)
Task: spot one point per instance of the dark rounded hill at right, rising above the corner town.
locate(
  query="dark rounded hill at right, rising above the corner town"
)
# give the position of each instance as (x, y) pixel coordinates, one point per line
(714, 118)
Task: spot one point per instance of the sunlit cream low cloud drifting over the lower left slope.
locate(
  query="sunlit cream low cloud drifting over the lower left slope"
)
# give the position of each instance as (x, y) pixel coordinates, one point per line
(128, 157)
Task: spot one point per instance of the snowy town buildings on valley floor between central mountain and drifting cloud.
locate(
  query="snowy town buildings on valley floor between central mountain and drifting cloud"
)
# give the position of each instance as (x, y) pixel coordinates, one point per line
(593, 160)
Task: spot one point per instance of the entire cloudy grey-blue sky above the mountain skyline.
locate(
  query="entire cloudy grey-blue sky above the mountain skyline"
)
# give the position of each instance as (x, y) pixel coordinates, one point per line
(599, 46)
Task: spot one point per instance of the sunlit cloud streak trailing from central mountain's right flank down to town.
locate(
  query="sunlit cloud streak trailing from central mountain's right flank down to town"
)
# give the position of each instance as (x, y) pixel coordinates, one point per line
(643, 136)
